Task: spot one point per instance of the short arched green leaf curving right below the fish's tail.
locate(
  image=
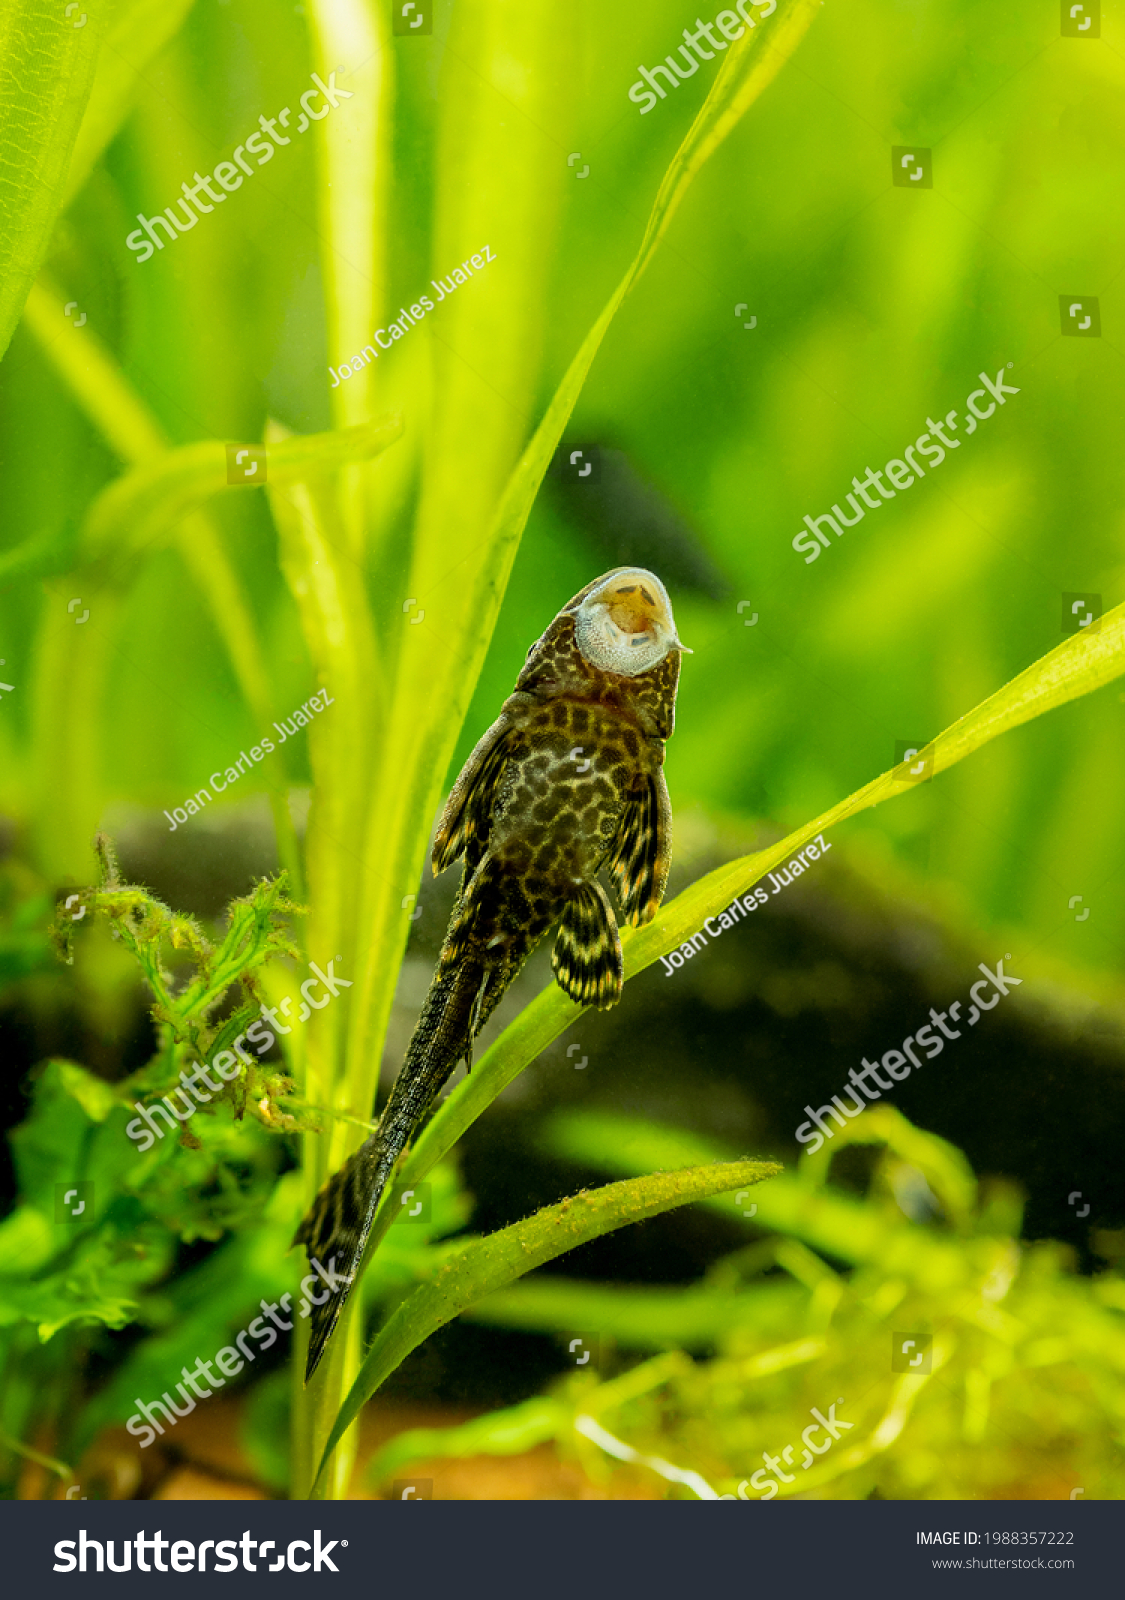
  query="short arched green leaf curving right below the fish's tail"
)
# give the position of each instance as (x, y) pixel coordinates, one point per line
(490, 1263)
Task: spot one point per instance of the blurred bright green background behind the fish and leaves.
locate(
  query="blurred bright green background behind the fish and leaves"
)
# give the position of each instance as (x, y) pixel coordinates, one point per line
(876, 308)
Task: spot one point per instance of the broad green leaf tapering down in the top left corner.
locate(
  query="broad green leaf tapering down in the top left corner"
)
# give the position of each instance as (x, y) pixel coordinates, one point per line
(49, 70)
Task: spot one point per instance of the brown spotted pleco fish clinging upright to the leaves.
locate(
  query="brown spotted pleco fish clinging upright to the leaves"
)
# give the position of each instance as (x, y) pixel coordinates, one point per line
(567, 782)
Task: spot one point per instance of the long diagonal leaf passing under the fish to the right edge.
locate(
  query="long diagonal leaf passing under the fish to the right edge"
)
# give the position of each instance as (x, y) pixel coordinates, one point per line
(1078, 666)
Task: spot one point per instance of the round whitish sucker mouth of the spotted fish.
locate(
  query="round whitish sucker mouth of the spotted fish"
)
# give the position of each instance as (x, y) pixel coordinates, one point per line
(623, 622)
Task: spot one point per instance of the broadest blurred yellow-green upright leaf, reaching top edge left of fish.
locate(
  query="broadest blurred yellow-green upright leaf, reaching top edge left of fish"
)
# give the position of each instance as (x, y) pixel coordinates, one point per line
(497, 188)
